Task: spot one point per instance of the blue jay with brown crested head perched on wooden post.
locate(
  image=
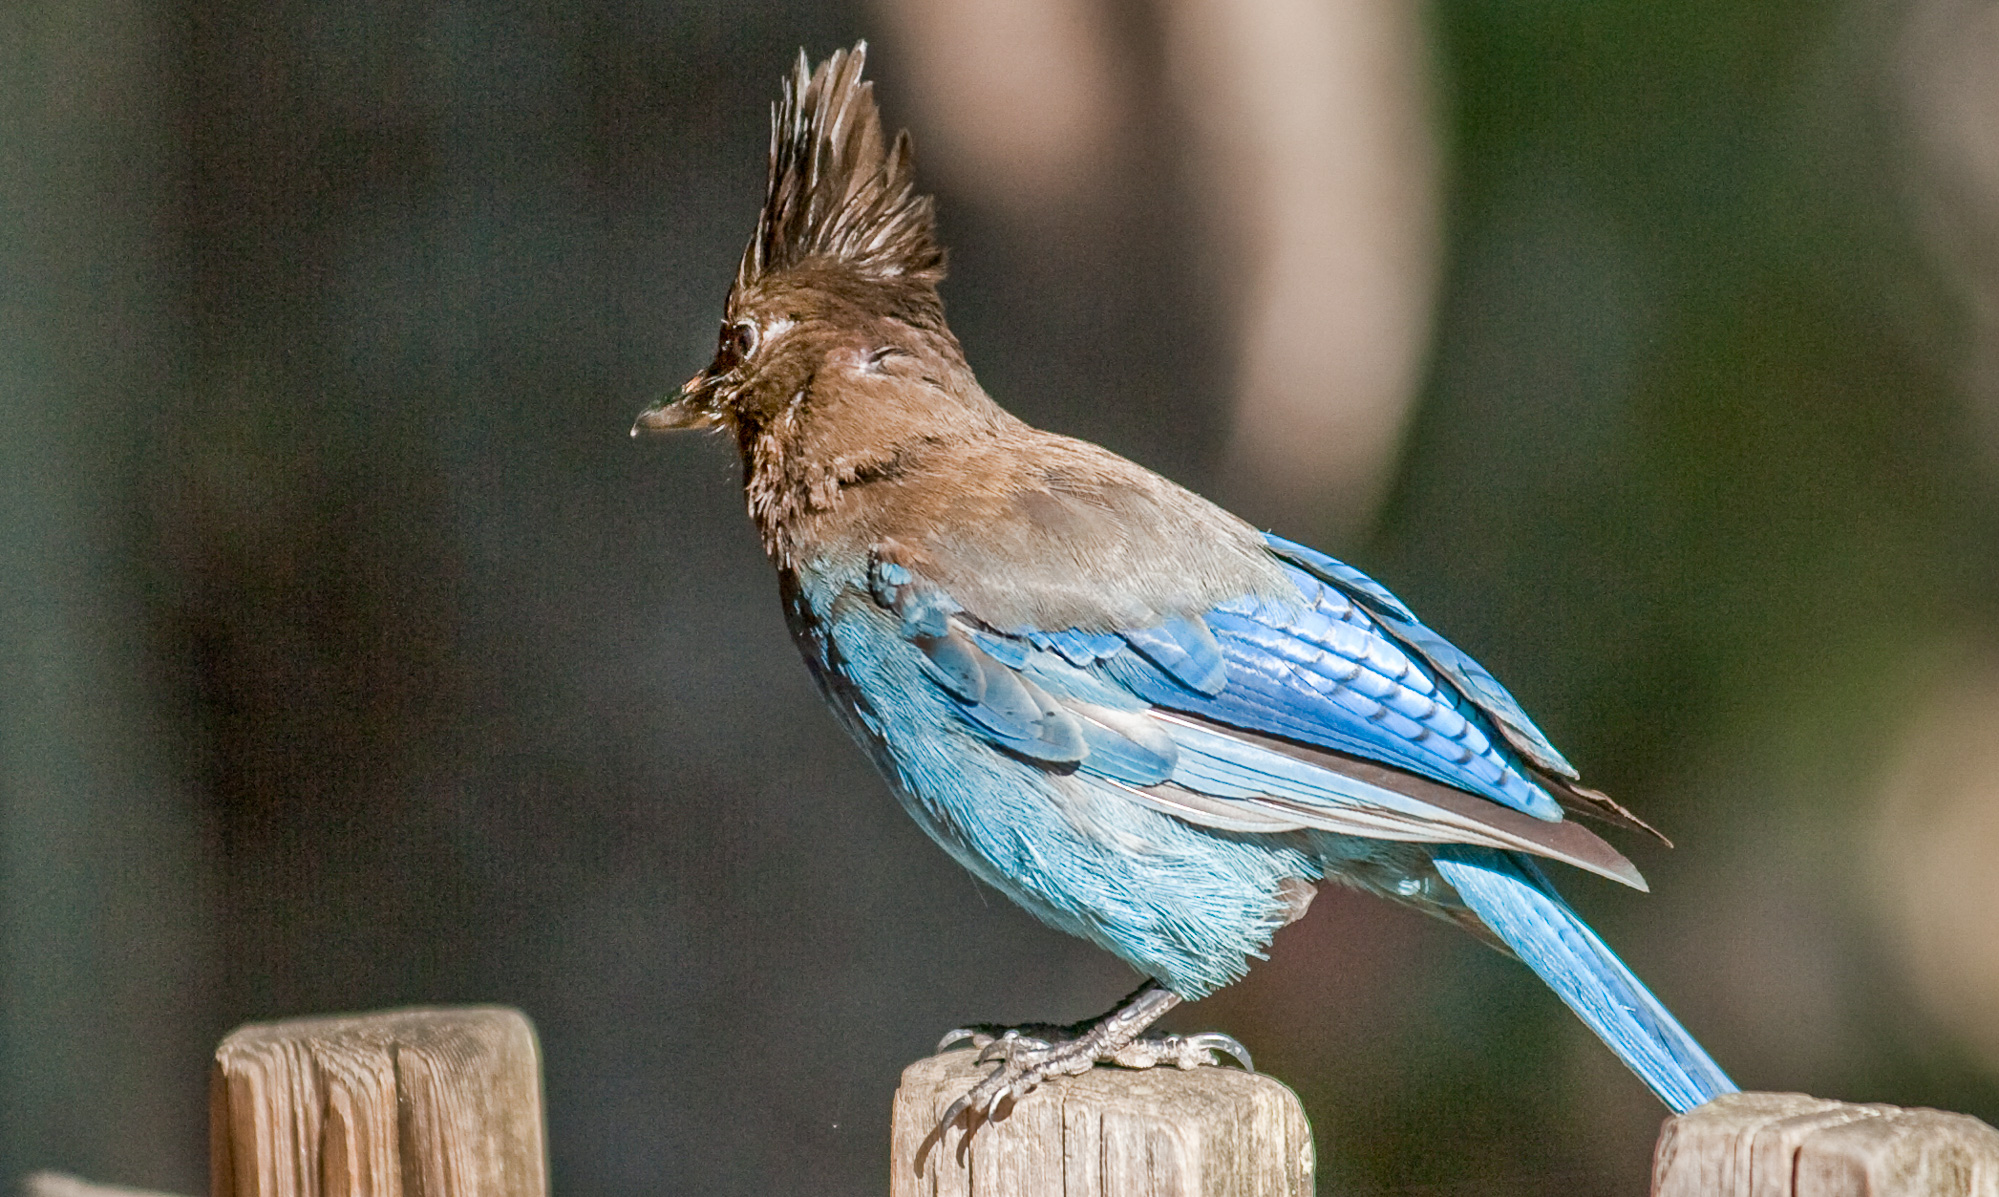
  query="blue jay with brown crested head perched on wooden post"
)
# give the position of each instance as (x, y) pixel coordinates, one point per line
(1128, 710)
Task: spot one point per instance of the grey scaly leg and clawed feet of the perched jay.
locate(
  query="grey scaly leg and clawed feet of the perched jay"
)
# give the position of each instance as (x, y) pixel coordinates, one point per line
(1038, 1052)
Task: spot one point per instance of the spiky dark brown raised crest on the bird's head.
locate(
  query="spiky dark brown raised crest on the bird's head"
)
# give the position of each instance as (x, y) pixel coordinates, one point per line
(839, 191)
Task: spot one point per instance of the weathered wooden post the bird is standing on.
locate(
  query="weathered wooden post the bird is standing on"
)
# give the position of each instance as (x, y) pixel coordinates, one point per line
(1212, 1132)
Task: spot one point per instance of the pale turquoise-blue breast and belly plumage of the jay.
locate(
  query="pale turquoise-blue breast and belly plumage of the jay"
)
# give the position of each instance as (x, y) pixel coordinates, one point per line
(977, 756)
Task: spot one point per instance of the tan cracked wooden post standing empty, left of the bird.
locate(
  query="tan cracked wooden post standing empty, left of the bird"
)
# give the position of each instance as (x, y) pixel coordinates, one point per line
(399, 1104)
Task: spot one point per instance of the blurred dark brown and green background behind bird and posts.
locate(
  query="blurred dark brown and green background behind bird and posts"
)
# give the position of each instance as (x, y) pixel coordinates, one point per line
(353, 656)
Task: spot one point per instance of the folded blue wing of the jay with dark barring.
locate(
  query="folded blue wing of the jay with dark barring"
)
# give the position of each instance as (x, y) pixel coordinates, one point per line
(1266, 714)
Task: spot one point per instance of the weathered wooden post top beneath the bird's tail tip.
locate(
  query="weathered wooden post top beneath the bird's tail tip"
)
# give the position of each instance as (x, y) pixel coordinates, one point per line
(1796, 1146)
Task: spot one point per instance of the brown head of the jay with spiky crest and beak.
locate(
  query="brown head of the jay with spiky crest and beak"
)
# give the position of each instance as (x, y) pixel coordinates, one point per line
(845, 253)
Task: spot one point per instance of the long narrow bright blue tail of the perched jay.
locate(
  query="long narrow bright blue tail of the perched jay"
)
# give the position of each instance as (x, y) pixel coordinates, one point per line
(1520, 906)
